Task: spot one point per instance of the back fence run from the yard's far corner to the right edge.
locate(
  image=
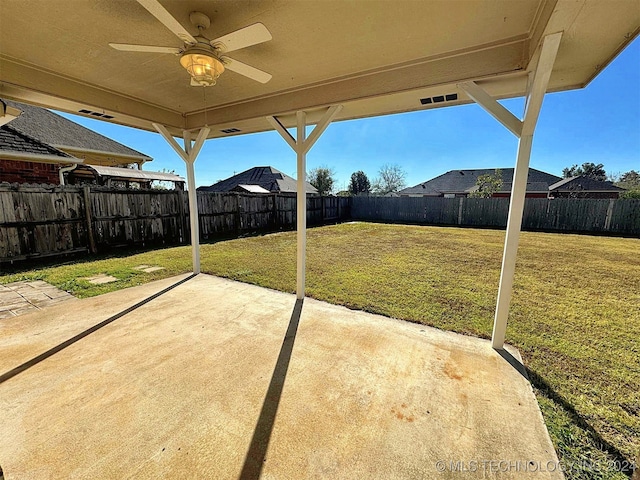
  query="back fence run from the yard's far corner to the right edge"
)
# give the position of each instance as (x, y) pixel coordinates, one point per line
(615, 216)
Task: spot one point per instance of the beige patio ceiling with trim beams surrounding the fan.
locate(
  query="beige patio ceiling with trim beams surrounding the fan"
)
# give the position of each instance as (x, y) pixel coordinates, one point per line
(372, 57)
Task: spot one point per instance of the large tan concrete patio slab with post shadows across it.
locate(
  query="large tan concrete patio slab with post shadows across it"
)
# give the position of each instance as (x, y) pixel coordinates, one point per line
(218, 379)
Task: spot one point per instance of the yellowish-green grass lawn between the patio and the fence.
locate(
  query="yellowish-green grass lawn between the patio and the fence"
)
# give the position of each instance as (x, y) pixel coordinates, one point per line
(575, 310)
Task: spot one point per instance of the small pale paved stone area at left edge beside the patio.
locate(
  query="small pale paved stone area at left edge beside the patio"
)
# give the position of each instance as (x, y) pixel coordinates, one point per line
(18, 298)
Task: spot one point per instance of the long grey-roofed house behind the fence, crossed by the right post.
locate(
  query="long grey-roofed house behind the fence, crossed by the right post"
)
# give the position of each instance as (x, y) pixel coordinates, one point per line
(460, 183)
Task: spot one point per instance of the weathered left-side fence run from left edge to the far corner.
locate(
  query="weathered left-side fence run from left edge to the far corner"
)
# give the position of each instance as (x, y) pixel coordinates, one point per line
(39, 221)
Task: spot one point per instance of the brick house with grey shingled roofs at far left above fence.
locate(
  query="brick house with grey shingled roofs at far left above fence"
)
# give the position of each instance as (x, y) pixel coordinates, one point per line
(37, 143)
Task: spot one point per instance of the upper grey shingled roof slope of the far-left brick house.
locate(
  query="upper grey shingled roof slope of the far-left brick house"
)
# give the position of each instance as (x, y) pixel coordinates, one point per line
(53, 129)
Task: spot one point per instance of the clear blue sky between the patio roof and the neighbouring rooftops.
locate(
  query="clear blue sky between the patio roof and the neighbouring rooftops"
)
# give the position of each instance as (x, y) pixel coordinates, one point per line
(599, 124)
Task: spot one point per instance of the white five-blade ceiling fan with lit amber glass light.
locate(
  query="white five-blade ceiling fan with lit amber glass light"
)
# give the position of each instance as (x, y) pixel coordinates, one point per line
(204, 59)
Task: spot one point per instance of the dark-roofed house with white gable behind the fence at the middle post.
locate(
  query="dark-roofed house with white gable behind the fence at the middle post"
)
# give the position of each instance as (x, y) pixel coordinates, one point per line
(268, 179)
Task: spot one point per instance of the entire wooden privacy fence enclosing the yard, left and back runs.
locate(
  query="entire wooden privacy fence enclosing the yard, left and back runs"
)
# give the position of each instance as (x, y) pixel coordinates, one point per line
(39, 221)
